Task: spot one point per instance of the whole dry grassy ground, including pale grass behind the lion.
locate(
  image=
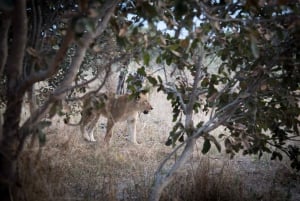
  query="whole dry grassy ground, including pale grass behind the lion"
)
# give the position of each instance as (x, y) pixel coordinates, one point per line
(69, 168)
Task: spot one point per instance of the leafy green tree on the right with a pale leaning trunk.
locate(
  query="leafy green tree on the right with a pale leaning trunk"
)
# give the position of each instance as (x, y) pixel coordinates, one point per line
(254, 90)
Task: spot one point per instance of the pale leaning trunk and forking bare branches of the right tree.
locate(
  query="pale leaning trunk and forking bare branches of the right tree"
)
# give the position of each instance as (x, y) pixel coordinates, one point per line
(162, 179)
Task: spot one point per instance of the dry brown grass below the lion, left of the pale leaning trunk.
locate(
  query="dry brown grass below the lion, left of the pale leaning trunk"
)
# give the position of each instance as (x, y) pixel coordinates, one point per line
(72, 169)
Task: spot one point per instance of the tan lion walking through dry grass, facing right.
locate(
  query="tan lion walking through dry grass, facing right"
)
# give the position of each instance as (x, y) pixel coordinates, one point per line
(115, 108)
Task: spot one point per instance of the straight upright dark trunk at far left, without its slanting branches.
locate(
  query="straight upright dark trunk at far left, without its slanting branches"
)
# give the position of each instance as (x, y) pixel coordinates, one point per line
(13, 70)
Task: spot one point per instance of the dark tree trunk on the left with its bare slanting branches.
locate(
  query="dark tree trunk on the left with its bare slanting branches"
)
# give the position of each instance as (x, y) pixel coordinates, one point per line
(13, 134)
